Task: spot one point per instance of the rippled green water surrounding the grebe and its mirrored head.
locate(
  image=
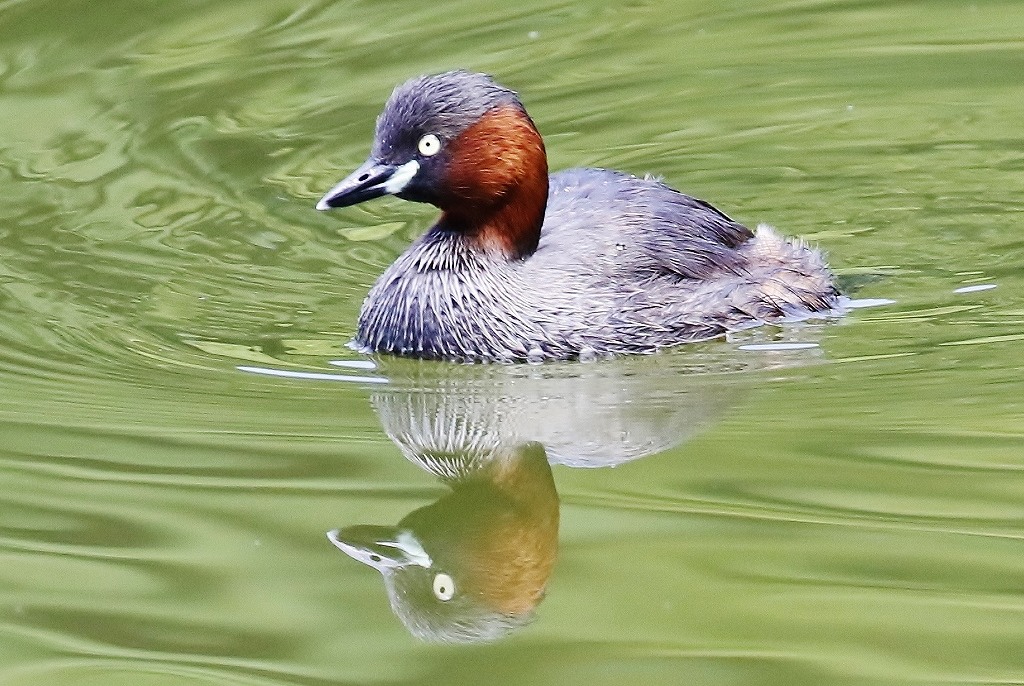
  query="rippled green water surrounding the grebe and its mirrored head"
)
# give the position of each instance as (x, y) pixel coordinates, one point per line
(852, 512)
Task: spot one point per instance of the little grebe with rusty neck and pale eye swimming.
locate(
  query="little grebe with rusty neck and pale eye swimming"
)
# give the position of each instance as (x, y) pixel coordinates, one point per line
(527, 267)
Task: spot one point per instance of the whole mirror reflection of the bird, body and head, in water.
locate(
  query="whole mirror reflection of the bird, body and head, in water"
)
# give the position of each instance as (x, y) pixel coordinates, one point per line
(474, 566)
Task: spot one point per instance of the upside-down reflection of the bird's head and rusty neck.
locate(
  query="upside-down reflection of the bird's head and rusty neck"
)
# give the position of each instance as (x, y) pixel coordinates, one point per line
(474, 566)
